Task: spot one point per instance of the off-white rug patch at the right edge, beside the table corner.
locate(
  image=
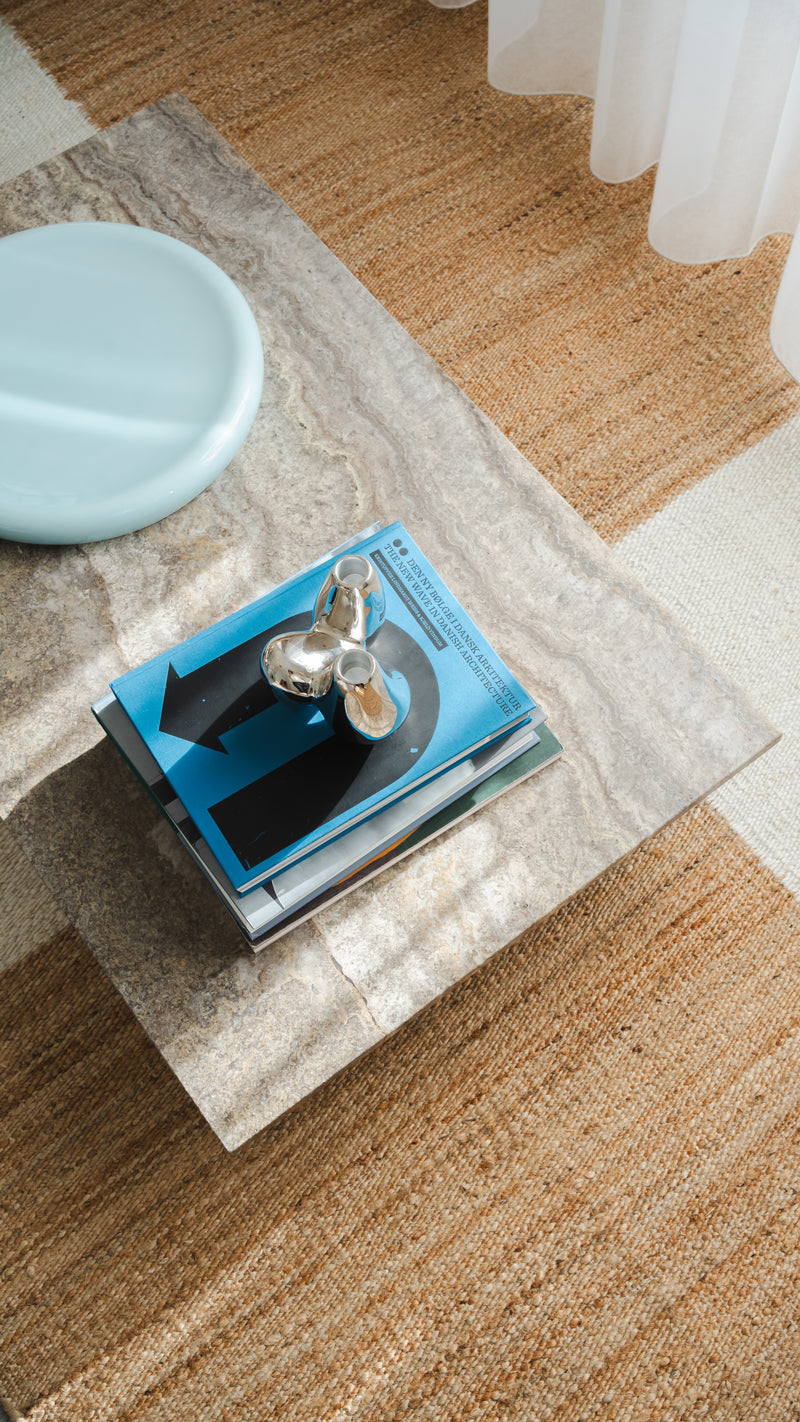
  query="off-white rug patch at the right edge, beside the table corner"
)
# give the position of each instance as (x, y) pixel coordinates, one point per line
(725, 558)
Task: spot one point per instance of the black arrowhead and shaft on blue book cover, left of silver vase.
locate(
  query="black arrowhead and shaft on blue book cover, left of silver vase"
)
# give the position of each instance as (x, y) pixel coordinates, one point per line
(224, 693)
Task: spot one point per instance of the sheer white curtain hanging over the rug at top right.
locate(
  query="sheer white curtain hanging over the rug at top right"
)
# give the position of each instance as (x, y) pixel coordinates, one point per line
(710, 90)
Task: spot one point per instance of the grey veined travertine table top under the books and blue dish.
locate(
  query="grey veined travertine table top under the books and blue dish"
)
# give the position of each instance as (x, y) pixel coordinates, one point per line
(356, 424)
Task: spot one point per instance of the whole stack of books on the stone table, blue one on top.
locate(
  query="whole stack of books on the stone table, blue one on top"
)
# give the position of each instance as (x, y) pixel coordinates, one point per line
(282, 816)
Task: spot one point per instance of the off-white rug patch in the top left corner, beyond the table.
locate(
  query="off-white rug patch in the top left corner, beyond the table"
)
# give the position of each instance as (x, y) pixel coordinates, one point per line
(36, 120)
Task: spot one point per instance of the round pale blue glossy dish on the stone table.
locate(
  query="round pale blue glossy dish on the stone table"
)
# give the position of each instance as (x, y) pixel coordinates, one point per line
(131, 372)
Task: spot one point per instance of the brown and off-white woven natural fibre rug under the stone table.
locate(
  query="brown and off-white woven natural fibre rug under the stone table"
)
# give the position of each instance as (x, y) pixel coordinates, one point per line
(571, 1190)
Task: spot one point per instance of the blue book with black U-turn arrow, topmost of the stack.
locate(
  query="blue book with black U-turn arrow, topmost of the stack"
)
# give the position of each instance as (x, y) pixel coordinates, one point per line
(268, 783)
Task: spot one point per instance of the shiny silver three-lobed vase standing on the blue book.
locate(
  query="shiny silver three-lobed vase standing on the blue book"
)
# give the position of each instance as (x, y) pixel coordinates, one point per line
(330, 663)
